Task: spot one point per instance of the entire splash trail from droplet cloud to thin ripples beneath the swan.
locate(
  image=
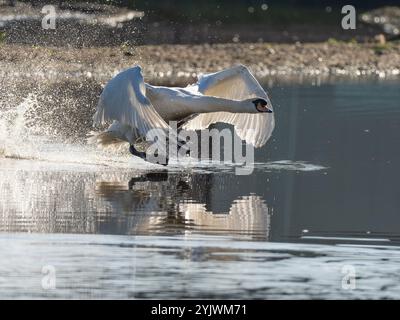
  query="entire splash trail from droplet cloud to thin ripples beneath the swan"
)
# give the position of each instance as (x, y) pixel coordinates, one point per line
(48, 128)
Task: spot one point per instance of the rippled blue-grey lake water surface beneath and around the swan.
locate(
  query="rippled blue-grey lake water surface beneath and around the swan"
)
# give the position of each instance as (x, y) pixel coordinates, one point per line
(317, 218)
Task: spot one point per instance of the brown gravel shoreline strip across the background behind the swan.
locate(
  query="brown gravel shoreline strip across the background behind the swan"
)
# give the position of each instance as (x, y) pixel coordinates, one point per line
(179, 64)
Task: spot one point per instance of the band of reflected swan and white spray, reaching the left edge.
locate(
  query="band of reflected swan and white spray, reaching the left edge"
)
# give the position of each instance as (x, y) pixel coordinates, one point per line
(46, 201)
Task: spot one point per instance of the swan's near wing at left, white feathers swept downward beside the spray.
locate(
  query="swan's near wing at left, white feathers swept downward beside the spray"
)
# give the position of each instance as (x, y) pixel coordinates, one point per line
(124, 100)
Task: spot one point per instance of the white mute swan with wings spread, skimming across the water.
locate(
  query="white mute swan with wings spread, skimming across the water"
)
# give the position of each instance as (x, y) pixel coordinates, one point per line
(232, 96)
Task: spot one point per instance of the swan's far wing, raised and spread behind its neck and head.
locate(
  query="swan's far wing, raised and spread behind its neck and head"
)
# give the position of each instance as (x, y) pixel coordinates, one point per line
(236, 83)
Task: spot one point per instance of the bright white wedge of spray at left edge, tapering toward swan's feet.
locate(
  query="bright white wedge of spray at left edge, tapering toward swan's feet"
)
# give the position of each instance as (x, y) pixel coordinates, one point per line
(23, 137)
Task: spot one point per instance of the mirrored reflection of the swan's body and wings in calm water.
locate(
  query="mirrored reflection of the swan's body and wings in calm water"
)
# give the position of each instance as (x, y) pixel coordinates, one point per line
(170, 203)
